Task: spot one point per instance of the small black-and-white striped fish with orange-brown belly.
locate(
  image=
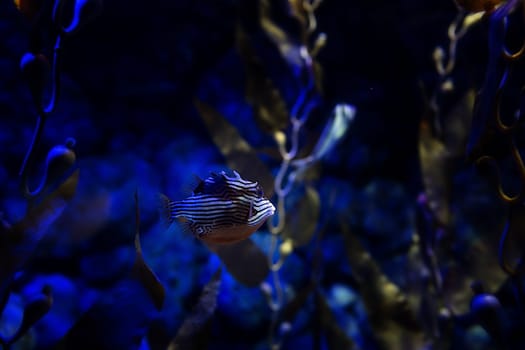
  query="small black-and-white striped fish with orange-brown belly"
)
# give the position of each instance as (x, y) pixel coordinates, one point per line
(222, 209)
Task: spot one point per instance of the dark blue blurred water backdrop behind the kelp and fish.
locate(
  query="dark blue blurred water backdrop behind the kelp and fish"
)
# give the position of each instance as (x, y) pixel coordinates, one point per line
(129, 80)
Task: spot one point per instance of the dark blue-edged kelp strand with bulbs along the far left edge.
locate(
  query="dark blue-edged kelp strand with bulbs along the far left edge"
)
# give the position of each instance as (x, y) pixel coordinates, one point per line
(59, 181)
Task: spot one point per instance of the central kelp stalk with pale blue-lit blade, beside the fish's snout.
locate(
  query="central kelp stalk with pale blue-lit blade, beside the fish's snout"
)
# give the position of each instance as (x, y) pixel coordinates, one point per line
(289, 231)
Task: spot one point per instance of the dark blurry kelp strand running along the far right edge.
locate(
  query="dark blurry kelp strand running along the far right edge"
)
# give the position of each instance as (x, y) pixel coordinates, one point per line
(493, 140)
